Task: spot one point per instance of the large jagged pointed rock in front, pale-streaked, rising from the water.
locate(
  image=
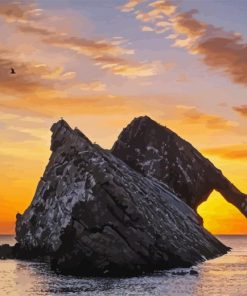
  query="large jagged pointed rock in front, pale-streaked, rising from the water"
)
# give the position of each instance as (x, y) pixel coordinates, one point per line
(94, 215)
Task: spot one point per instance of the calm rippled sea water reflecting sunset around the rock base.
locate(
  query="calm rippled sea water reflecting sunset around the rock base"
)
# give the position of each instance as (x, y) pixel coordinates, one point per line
(223, 276)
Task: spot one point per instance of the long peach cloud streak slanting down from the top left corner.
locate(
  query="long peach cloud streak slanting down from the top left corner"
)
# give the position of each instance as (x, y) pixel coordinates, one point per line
(28, 20)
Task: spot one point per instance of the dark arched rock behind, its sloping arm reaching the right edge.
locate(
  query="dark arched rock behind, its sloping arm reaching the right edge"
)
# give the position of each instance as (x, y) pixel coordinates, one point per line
(156, 151)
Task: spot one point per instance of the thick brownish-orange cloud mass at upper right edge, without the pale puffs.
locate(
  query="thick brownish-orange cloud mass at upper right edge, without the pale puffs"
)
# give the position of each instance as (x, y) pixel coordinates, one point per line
(220, 50)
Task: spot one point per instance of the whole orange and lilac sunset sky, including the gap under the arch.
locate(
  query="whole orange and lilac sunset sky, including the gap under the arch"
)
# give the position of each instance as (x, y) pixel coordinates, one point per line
(98, 64)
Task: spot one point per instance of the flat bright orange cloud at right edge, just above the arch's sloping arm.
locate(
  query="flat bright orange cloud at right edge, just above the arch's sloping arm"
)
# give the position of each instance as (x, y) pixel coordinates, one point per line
(238, 151)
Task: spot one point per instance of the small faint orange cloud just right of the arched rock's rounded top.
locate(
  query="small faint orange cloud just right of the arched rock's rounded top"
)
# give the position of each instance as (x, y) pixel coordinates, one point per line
(191, 115)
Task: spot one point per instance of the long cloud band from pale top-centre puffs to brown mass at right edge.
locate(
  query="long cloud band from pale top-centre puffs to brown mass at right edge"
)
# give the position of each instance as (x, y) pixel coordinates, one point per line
(219, 49)
